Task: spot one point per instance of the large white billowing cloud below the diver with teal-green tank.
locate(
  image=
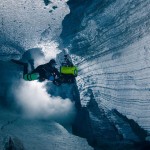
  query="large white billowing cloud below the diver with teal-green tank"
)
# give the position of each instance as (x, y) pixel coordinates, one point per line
(35, 102)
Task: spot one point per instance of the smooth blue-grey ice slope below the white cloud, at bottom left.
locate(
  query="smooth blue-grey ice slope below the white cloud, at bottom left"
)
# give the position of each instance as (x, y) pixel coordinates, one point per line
(37, 134)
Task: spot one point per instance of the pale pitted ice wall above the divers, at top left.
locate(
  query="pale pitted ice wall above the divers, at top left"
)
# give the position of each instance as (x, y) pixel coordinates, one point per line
(28, 24)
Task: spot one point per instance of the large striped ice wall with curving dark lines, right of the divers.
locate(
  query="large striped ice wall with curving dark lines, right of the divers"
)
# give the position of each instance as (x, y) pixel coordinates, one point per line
(109, 41)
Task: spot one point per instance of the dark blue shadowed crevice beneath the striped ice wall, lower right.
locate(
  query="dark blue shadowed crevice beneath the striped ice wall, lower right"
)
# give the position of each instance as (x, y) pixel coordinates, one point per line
(104, 134)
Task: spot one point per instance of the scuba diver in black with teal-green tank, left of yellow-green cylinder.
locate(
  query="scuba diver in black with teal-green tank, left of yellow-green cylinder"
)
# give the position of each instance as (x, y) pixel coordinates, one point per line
(42, 72)
